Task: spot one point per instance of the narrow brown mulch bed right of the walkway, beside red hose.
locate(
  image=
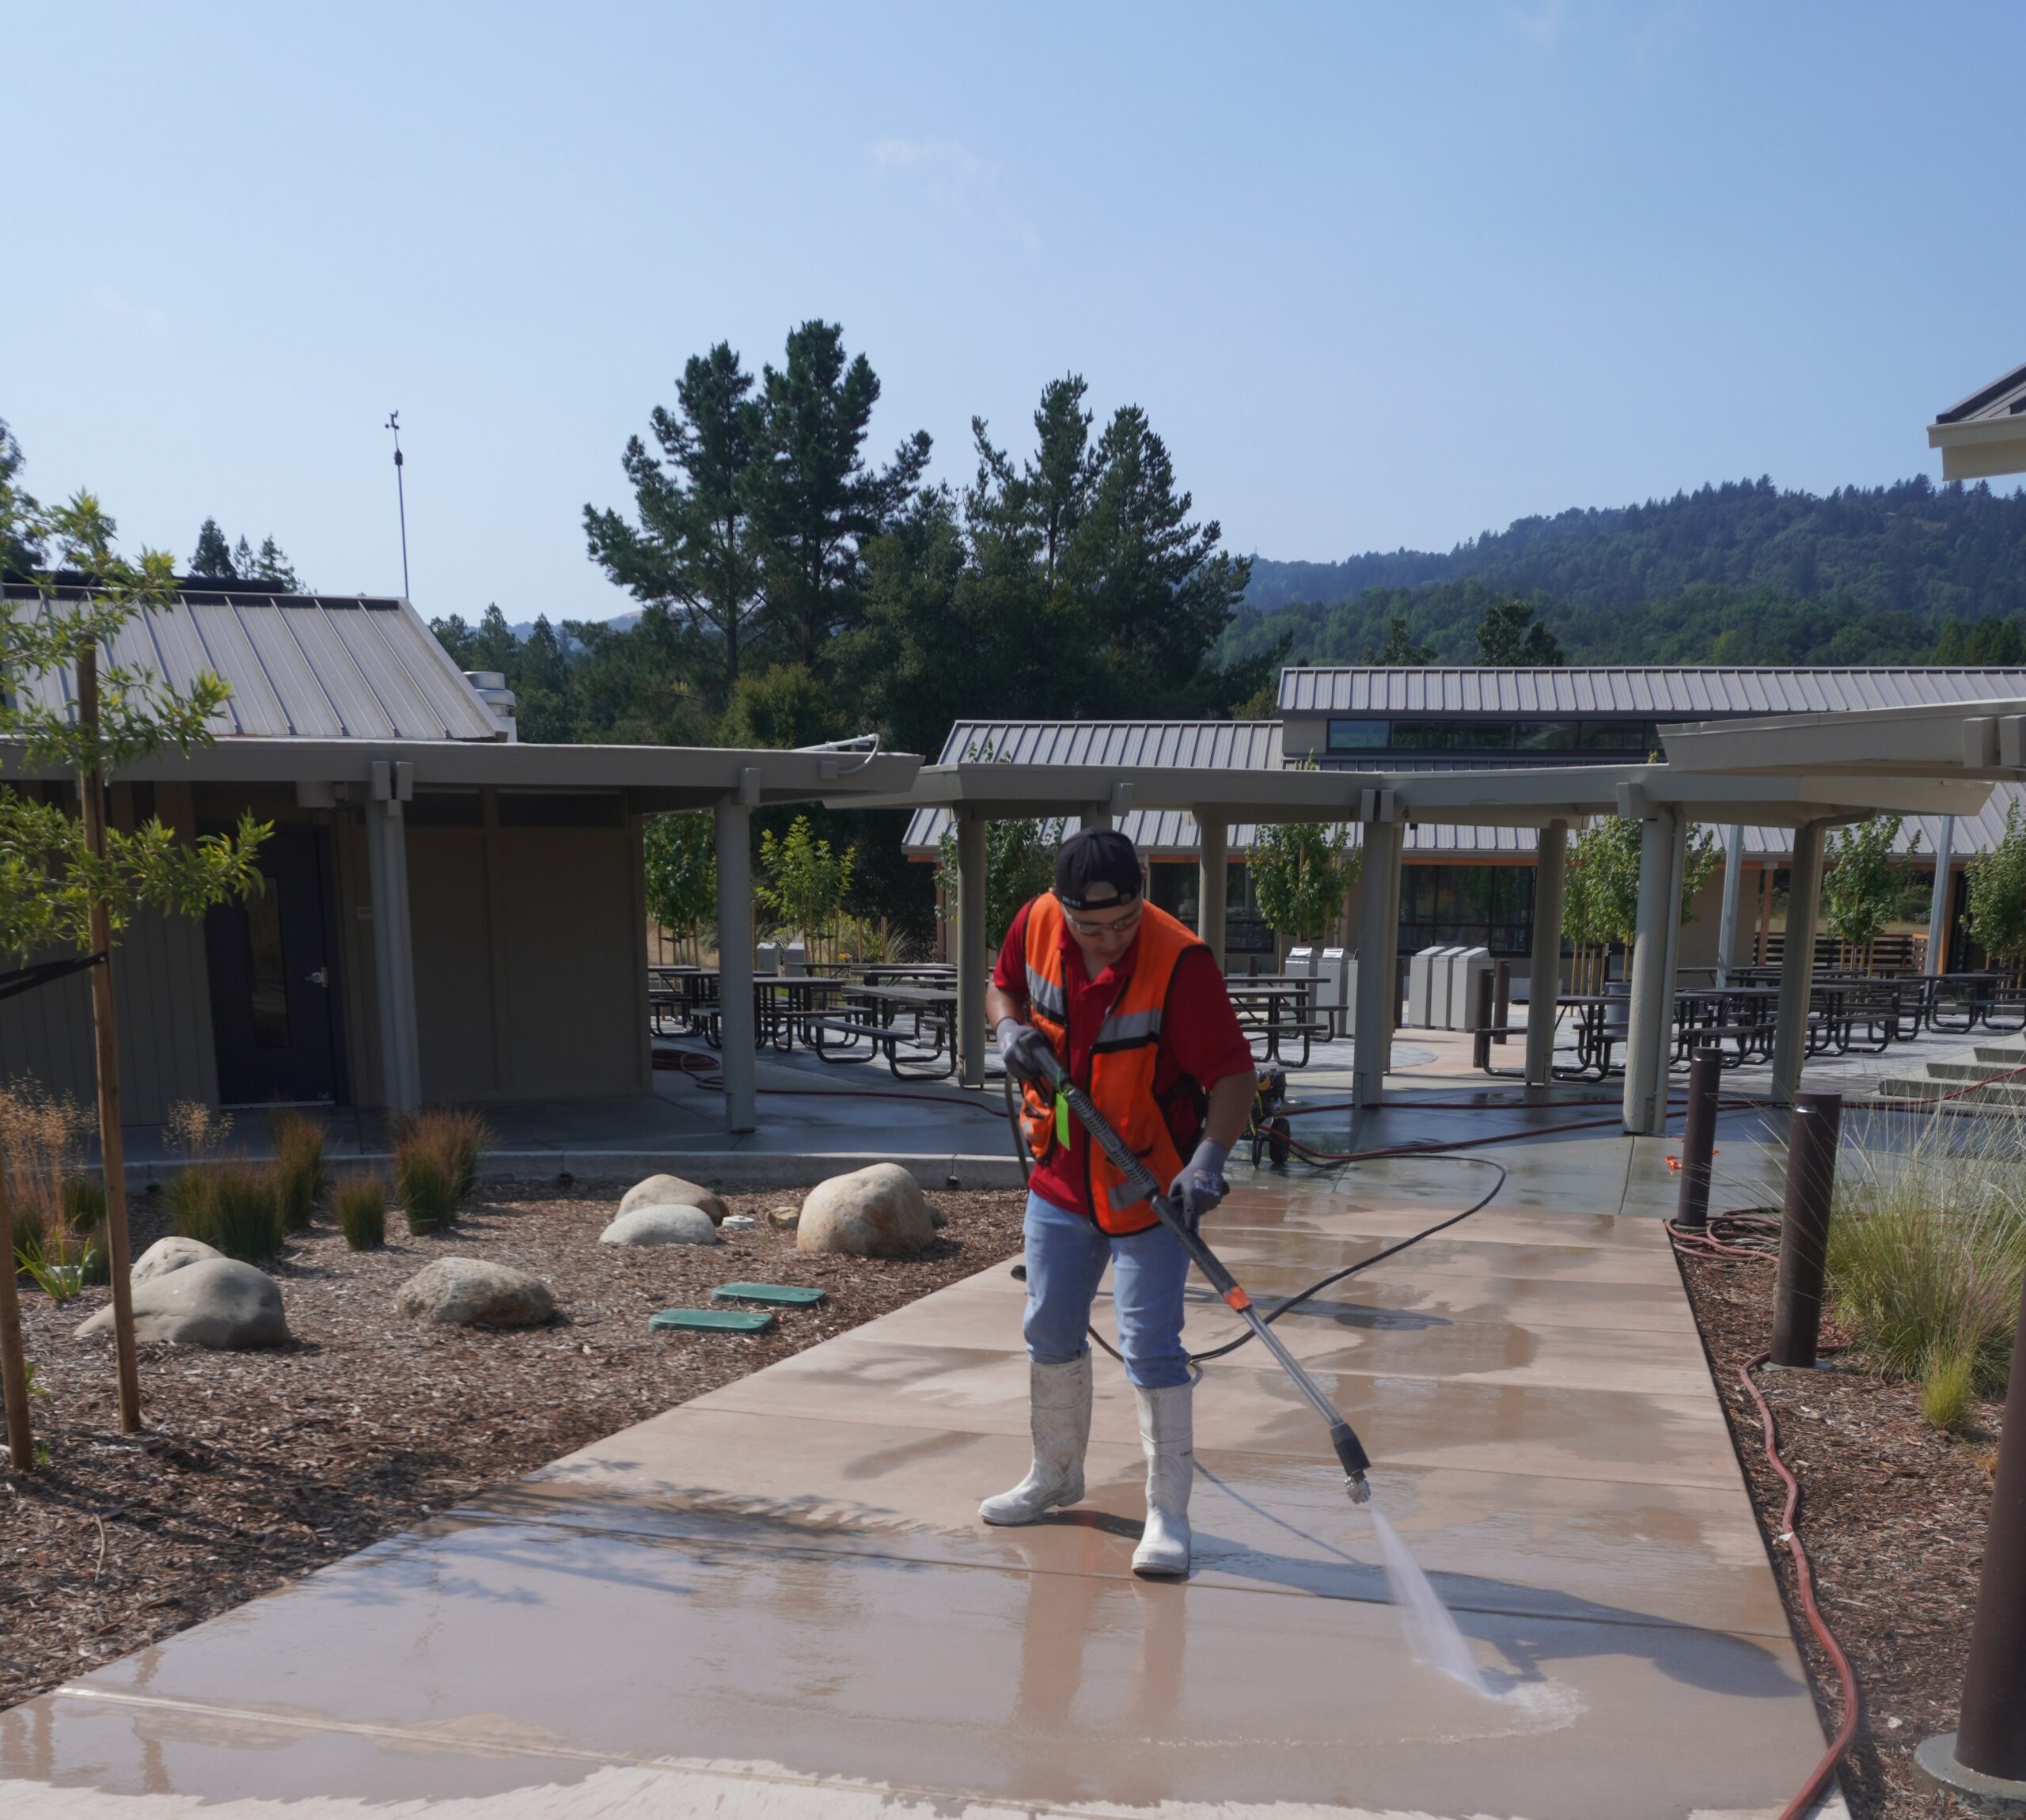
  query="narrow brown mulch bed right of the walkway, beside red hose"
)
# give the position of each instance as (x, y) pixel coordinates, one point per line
(1893, 1521)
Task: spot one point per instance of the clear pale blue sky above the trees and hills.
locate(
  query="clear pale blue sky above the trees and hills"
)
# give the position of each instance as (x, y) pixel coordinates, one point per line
(1381, 275)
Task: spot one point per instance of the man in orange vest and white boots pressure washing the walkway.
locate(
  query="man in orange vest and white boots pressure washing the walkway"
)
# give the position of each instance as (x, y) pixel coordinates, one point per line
(1134, 1006)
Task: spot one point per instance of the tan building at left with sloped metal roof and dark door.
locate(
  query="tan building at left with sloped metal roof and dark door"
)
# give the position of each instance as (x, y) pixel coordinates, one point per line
(451, 915)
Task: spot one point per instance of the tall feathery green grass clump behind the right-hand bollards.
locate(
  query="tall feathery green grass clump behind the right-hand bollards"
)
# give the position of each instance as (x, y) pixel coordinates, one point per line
(1928, 1252)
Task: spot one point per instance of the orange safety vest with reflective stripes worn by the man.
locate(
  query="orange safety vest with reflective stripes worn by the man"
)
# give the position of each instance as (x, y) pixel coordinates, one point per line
(1121, 1061)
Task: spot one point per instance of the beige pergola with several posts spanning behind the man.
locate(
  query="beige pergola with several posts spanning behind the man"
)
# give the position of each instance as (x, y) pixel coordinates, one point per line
(1383, 806)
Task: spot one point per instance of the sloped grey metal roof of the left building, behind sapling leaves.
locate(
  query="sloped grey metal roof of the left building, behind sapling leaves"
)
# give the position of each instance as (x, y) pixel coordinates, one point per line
(301, 666)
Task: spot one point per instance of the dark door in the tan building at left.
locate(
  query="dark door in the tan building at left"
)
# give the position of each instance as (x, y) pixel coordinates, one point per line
(272, 982)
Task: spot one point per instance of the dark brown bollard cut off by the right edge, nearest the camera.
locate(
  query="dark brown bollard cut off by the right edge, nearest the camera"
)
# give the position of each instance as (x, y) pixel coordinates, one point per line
(1991, 1742)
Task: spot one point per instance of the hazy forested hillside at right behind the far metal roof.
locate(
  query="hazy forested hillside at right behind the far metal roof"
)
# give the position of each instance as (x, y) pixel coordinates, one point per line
(1727, 575)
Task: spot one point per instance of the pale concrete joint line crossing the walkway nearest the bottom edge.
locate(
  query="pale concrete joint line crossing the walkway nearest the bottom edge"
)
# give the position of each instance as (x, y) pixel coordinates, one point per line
(939, 1799)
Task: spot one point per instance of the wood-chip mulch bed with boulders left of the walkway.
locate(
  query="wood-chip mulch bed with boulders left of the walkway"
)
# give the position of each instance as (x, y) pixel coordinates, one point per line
(262, 1466)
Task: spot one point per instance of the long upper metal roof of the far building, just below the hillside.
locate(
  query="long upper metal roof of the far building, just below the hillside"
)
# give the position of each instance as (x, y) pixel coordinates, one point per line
(1648, 690)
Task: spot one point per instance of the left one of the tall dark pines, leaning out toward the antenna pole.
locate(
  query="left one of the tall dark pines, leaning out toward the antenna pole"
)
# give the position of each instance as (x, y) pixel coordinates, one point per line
(696, 550)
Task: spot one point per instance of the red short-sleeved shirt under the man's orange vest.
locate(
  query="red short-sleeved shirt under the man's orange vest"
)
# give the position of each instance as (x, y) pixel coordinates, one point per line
(1200, 1041)
